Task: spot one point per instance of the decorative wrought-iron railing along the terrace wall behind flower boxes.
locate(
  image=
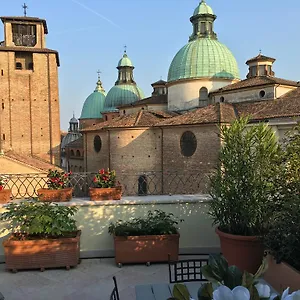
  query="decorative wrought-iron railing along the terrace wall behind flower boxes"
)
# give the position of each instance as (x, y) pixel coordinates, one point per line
(141, 184)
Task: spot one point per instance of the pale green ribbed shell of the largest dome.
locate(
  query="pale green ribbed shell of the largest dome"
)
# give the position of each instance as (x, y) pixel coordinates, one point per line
(203, 58)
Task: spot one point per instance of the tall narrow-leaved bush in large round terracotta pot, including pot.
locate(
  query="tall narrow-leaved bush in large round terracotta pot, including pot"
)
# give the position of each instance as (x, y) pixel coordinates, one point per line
(241, 191)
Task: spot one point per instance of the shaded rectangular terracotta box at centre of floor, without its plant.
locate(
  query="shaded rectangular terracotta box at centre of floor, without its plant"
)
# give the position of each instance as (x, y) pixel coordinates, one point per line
(146, 249)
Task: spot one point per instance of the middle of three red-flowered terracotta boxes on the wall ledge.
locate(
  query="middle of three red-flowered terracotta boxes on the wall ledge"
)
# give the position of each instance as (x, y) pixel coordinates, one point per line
(58, 190)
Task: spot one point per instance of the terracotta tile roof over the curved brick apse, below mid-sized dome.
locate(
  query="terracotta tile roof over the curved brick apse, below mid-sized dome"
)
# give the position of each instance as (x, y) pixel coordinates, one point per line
(141, 118)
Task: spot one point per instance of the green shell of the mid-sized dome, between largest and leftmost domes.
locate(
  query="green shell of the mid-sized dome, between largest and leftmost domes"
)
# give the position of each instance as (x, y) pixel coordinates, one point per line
(121, 95)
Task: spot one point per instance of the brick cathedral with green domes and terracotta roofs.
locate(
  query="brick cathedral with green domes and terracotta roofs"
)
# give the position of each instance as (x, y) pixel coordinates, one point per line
(176, 129)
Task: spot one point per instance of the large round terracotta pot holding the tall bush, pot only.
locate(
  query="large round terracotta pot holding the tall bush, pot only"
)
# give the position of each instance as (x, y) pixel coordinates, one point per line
(245, 252)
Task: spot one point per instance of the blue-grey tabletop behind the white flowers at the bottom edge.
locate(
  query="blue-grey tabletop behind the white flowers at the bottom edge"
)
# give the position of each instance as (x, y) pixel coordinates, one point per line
(163, 291)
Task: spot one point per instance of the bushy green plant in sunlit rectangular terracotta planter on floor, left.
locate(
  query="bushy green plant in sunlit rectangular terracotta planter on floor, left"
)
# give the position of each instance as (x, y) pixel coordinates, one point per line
(44, 235)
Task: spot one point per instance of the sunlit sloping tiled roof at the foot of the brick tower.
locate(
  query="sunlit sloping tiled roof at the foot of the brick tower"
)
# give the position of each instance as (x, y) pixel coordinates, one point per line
(31, 161)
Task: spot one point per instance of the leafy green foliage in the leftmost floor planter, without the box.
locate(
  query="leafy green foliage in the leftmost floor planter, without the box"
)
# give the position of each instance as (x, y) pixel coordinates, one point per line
(32, 219)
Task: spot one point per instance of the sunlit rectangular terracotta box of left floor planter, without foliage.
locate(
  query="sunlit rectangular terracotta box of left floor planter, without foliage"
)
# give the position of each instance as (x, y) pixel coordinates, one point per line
(41, 254)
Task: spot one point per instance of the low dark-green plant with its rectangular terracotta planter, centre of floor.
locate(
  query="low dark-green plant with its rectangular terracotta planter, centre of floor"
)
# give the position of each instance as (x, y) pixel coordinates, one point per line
(145, 240)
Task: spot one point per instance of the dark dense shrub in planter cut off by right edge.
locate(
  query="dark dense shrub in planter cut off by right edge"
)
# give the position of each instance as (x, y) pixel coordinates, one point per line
(282, 239)
